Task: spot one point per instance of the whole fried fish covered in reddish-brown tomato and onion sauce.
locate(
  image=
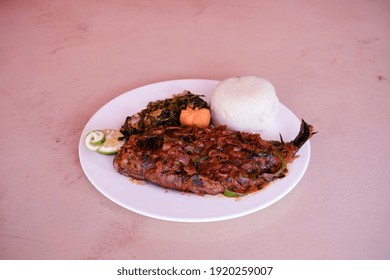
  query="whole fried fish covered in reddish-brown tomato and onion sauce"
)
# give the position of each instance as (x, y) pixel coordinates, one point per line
(208, 161)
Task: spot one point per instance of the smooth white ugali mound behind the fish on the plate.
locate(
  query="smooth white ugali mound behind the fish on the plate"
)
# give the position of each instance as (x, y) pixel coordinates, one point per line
(247, 104)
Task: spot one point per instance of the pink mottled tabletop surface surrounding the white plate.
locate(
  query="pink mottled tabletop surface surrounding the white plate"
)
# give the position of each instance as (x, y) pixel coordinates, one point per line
(61, 60)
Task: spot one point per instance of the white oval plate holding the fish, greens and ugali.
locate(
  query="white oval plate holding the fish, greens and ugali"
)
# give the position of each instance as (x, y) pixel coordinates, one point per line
(153, 201)
